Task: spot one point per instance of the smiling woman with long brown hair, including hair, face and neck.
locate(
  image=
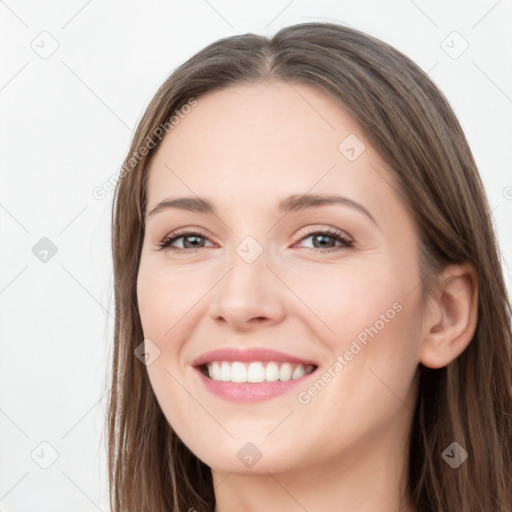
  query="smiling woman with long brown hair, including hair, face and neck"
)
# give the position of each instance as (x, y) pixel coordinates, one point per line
(310, 308)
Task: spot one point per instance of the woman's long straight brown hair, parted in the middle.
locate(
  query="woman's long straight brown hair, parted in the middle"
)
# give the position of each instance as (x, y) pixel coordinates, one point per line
(410, 123)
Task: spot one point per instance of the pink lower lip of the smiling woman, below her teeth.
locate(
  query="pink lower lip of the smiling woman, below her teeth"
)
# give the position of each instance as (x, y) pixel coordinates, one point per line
(249, 391)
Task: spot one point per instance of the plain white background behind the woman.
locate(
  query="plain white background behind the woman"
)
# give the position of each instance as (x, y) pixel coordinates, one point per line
(66, 123)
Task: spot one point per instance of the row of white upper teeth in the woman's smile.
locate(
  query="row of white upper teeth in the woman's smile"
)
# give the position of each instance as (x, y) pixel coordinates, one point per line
(256, 371)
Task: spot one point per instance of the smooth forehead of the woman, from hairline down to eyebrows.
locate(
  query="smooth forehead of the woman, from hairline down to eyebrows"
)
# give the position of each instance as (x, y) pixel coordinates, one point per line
(261, 140)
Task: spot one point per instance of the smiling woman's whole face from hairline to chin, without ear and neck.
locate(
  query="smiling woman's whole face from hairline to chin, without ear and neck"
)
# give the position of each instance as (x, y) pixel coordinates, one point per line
(259, 277)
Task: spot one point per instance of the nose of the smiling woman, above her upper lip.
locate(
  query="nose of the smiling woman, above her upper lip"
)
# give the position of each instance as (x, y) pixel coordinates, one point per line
(249, 296)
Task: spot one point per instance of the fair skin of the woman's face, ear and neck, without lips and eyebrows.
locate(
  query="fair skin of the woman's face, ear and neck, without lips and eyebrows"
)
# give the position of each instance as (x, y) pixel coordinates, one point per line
(245, 148)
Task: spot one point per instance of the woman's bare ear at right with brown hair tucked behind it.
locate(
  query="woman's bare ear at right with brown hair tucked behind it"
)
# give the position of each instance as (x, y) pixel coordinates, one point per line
(451, 317)
